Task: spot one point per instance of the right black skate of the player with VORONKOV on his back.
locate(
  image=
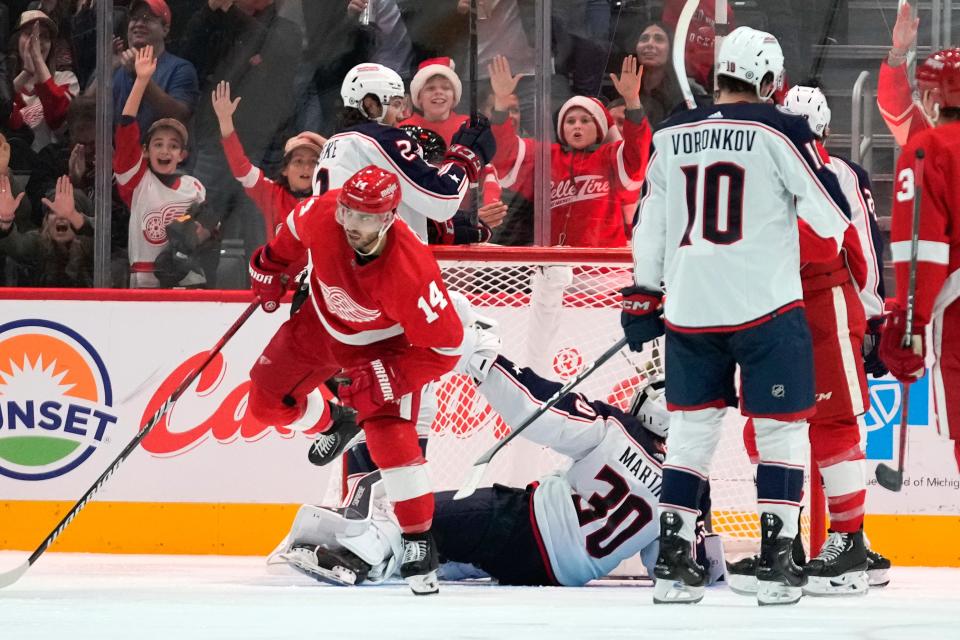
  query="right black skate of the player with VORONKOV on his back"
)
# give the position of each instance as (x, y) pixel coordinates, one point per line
(779, 577)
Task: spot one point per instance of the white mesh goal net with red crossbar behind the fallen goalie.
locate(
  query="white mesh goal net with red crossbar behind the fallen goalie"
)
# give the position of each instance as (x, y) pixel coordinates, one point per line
(558, 309)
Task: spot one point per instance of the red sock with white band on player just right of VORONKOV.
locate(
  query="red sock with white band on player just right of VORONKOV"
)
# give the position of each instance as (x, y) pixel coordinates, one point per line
(836, 450)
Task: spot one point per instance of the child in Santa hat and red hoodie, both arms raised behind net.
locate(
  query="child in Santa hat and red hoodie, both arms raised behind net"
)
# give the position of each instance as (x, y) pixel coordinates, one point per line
(588, 171)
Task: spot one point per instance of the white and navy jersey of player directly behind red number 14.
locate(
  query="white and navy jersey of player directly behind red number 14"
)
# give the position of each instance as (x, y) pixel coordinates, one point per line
(428, 192)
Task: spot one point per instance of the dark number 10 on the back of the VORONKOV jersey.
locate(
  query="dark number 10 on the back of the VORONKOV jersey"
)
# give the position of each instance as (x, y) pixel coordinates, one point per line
(714, 177)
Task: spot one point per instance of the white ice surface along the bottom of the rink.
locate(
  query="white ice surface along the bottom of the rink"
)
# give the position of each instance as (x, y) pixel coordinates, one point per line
(106, 597)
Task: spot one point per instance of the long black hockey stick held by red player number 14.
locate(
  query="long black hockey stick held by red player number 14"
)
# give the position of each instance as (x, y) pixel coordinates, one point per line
(9, 577)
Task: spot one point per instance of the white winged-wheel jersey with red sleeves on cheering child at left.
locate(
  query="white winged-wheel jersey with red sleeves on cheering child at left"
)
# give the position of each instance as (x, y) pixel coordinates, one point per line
(153, 202)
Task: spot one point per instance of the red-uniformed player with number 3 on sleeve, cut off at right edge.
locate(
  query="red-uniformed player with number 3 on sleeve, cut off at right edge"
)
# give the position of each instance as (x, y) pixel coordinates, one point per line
(937, 299)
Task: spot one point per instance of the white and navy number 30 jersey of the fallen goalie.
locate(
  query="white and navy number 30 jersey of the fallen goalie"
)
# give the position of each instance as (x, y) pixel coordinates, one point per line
(602, 509)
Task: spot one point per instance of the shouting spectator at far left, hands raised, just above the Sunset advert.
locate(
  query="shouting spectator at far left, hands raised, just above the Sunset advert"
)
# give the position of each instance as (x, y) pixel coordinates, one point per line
(60, 254)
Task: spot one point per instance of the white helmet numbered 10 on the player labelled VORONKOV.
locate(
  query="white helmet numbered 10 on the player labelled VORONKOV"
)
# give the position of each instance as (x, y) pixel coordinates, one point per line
(749, 55)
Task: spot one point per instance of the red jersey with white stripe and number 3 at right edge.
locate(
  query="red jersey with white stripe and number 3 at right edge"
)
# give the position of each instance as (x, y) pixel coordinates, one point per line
(938, 258)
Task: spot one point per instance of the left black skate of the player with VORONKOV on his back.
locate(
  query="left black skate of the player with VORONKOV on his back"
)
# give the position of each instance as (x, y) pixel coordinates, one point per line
(680, 579)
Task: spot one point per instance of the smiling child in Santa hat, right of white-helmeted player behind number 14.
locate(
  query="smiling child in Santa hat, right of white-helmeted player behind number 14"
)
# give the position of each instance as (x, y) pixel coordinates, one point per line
(435, 90)
